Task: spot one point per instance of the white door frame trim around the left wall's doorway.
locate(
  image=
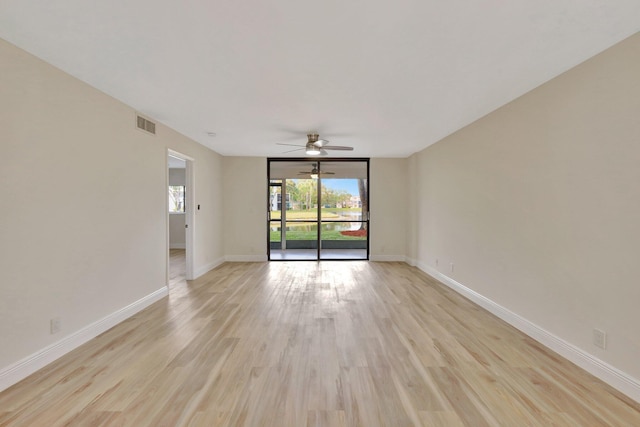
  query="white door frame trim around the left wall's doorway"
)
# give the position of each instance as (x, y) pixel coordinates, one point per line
(189, 211)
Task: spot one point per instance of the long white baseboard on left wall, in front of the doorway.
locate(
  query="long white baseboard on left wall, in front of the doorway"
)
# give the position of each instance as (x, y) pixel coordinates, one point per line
(20, 370)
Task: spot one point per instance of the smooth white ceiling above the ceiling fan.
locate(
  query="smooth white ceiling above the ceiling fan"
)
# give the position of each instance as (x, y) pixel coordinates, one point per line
(387, 77)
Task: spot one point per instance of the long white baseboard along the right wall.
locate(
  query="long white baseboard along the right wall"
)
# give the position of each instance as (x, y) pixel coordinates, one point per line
(619, 380)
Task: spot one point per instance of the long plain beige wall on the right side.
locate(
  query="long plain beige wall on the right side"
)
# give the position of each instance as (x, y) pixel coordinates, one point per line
(538, 205)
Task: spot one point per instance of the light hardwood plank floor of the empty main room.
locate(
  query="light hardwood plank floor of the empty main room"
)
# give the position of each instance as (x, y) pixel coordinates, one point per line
(313, 344)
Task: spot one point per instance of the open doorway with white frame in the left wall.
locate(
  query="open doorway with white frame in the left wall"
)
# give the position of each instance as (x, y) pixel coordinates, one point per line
(180, 218)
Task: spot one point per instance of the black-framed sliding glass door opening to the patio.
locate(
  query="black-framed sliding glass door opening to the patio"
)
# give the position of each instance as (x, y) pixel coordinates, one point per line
(318, 209)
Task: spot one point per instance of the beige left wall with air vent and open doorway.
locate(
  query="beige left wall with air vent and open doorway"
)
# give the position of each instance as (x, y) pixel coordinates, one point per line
(83, 224)
